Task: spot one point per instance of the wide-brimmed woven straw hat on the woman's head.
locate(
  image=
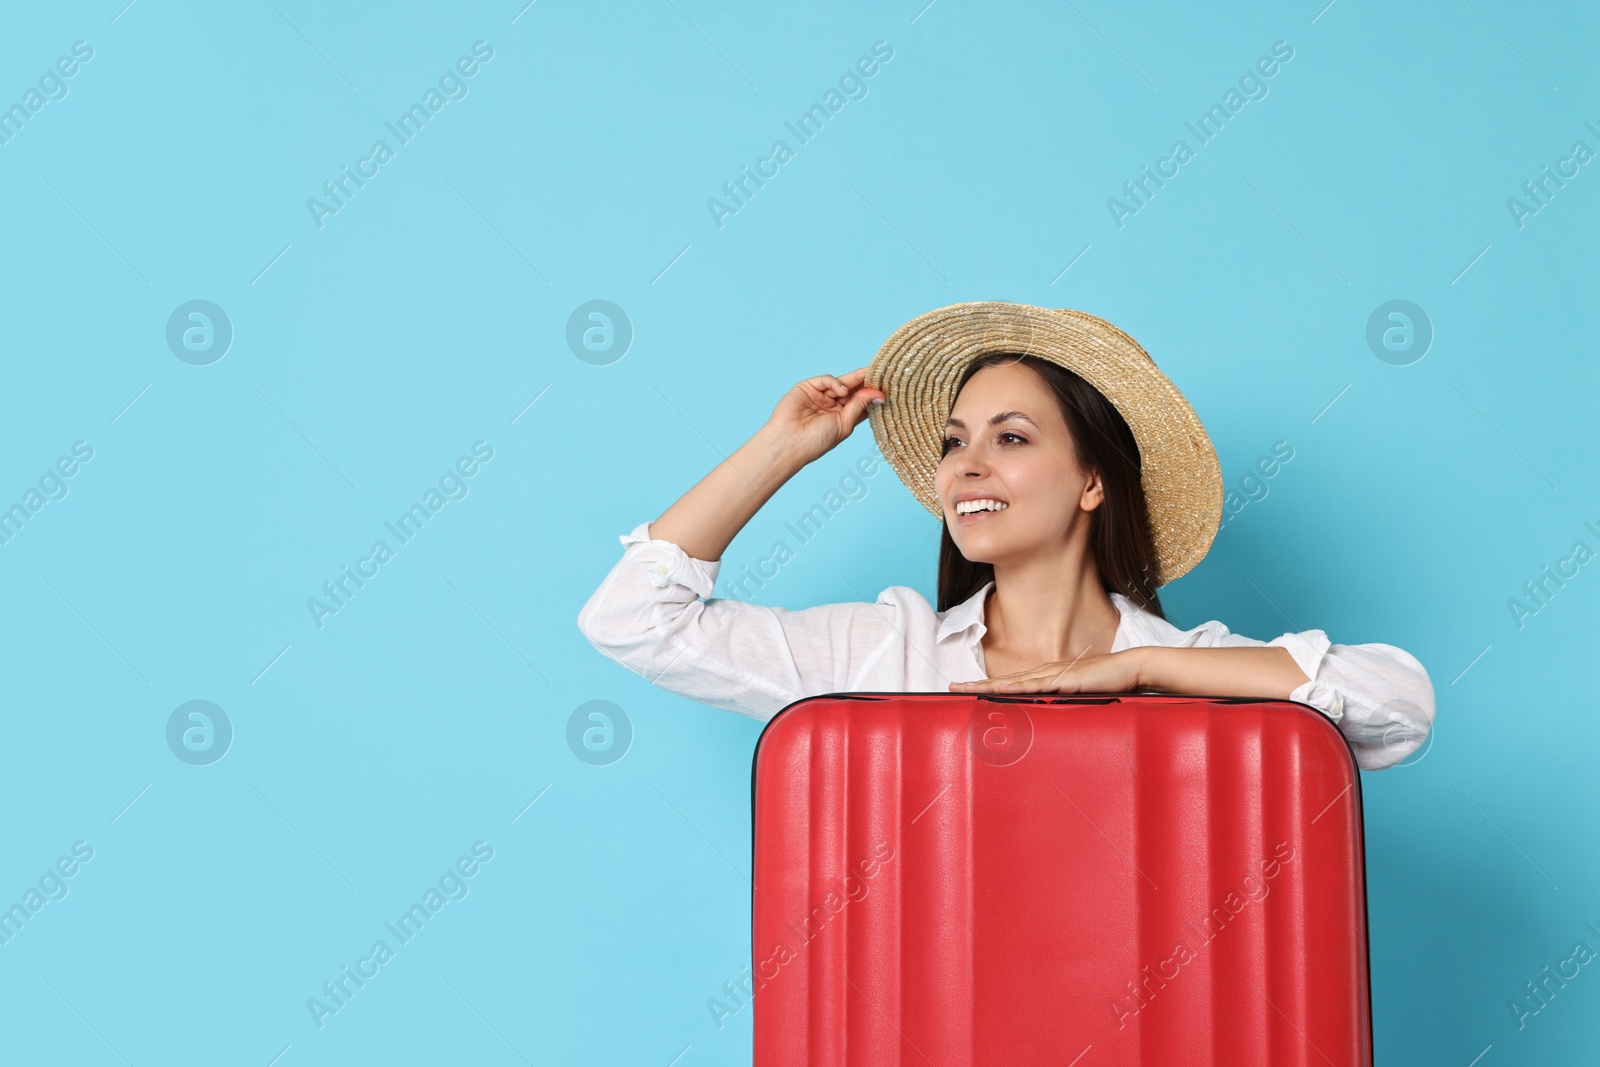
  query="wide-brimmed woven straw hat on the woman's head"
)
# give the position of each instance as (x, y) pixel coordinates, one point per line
(919, 366)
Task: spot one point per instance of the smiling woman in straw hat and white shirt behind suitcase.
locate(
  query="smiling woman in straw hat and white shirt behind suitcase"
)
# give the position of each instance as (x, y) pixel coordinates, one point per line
(1073, 479)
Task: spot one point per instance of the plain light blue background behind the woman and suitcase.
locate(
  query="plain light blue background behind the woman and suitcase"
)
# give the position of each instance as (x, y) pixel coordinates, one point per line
(433, 310)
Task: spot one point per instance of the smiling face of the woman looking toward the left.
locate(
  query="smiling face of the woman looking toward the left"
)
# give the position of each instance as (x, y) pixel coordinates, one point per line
(1025, 462)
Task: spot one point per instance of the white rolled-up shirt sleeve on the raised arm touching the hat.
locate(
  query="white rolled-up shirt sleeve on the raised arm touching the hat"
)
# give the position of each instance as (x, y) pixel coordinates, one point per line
(649, 617)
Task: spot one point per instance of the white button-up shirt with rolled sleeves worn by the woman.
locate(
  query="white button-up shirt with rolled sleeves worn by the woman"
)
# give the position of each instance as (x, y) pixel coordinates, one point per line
(753, 660)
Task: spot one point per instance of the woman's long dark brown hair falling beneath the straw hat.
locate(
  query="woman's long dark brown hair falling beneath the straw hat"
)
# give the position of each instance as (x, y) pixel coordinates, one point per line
(1121, 538)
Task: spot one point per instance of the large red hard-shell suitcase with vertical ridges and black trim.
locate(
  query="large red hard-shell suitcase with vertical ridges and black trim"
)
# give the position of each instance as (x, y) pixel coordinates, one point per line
(1070, 881)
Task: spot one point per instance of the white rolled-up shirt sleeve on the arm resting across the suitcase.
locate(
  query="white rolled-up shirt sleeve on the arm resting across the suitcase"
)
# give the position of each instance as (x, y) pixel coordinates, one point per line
(1378, 695)
